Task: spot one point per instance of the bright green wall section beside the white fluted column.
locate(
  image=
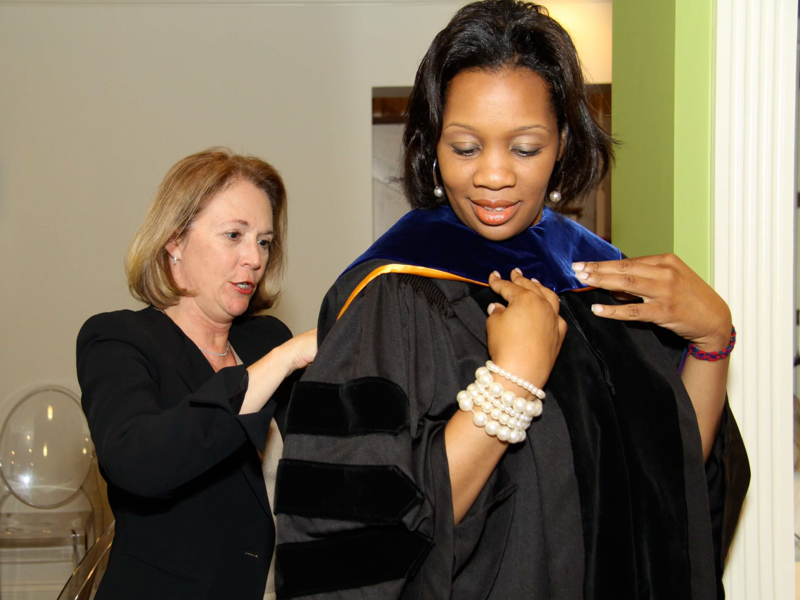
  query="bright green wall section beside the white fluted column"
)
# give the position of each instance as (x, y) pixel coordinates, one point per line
(662, 115)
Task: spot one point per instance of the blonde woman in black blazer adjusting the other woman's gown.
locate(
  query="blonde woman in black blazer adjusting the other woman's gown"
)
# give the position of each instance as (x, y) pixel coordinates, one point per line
(181, 396)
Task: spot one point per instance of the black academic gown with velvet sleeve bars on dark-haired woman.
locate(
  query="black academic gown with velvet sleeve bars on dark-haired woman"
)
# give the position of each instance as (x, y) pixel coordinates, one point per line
(608, 497)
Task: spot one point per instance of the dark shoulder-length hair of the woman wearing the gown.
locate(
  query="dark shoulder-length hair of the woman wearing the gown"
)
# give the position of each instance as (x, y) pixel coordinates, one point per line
(492, 35)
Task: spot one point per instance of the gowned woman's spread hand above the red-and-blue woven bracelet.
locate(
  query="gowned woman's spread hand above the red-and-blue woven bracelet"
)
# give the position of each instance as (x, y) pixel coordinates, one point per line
(674, 296)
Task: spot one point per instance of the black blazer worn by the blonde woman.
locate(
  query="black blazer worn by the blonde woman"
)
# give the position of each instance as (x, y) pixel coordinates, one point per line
(183, 471)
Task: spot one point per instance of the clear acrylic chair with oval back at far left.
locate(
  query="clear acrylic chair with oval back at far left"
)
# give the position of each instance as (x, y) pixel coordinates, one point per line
(46, 460)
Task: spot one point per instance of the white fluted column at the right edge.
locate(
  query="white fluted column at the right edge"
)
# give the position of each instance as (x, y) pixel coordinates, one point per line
(753, 270)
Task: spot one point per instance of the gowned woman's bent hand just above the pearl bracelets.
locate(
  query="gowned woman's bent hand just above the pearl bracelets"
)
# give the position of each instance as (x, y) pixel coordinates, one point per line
(525, 336)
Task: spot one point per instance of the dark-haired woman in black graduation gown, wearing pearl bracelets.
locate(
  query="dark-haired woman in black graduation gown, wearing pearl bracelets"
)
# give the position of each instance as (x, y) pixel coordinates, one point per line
(407, 471)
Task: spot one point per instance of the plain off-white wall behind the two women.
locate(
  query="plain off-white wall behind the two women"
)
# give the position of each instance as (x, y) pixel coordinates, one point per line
(98, 99)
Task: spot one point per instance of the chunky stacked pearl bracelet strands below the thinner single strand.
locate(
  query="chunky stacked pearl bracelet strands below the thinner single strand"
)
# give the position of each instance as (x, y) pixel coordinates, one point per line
(501, 413)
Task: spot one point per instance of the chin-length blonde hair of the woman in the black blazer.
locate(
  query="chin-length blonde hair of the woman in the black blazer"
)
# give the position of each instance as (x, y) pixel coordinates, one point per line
(186, 190)
